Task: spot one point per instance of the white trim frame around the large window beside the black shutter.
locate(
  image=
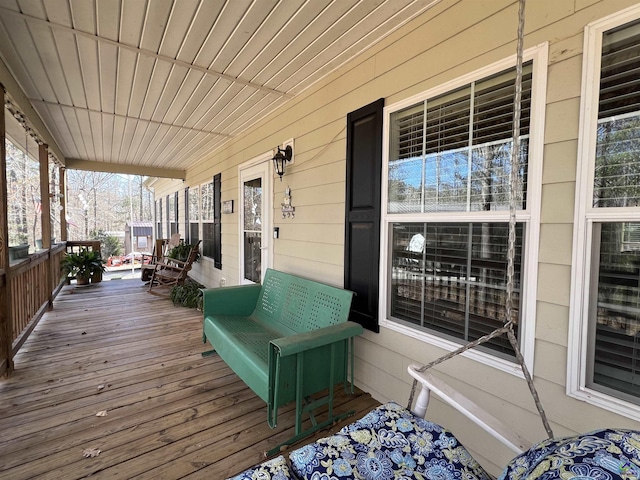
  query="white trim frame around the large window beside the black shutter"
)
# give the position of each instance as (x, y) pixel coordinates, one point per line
(539, 56)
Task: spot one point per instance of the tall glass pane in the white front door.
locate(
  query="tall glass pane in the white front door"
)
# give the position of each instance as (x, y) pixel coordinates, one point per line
(252, 223)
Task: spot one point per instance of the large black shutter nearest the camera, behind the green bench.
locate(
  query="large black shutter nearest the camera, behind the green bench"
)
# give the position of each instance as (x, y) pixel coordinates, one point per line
(362, 217)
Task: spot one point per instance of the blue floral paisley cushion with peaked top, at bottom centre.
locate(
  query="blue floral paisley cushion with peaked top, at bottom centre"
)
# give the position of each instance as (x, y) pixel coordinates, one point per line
(389, 443)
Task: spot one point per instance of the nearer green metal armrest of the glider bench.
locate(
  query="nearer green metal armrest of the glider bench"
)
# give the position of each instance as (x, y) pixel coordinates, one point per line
(301, 342)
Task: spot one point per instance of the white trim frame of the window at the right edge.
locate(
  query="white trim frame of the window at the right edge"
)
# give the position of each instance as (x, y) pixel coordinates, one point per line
(577, 362)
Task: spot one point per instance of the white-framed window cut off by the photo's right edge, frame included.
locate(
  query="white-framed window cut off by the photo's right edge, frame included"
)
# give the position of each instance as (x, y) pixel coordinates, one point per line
(604, 366)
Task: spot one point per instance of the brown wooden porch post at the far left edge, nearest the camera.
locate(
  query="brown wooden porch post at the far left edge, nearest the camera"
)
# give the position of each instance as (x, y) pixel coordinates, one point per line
(6, 334)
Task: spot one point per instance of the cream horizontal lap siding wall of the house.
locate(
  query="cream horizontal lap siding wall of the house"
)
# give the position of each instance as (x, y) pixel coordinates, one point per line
(450, 40)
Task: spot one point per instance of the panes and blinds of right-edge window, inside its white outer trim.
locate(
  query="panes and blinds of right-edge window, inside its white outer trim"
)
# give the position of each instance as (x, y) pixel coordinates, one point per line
(614, 292)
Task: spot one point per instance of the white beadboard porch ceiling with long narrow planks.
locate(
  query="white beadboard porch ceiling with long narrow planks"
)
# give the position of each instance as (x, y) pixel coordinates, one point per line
(161, 83)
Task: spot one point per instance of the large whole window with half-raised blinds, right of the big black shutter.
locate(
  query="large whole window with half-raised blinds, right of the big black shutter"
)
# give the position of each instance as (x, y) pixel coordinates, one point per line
(447, 208)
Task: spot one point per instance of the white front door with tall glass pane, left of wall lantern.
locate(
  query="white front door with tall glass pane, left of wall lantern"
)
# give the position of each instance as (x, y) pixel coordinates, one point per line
(255, 196)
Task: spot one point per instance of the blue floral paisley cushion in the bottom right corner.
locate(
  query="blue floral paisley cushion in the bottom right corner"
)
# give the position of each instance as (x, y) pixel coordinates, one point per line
(599, 455)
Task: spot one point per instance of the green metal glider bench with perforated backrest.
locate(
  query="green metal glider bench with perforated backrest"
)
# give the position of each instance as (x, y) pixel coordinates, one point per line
(287, 339)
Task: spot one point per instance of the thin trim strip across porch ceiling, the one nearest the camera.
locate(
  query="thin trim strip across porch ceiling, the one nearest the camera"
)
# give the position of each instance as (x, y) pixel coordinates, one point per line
(148, 53)
